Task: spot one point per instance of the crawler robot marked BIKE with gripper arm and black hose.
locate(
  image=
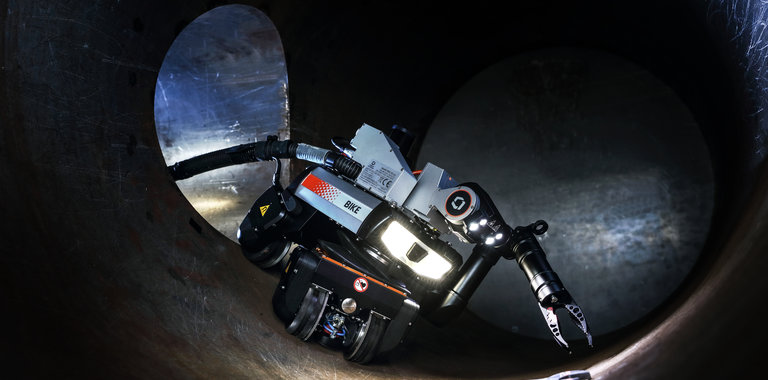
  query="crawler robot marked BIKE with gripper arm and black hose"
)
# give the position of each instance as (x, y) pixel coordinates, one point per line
(357, 238)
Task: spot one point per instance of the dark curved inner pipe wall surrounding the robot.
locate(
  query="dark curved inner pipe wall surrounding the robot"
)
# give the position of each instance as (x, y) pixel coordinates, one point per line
(107, 271)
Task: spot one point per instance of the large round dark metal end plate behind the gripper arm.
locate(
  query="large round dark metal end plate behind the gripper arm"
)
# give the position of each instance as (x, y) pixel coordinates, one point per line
(604, 152)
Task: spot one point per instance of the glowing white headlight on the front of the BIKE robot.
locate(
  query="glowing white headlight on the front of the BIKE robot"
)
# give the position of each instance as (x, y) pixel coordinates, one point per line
(399, 241)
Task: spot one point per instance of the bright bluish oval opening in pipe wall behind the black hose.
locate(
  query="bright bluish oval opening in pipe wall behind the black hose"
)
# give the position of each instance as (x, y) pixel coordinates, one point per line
(222, 83)
